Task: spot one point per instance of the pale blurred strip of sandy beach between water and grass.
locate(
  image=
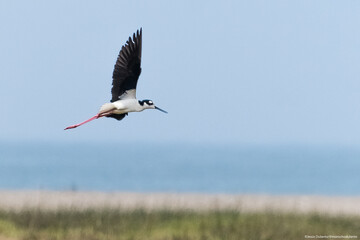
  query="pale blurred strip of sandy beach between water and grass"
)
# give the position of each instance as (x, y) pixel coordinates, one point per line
(53, 200)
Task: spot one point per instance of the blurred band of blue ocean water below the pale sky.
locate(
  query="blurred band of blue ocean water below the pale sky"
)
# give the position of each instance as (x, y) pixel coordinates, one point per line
(180, 168)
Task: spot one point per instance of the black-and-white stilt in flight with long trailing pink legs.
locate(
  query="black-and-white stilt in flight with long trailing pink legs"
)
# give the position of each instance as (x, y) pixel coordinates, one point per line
(125, 76)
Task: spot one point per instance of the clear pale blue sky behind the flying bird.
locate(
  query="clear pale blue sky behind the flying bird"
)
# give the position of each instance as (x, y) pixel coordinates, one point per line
(228, 72)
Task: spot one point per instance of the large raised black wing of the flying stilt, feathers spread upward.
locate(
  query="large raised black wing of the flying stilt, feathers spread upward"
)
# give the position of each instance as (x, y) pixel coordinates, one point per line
(128, 66)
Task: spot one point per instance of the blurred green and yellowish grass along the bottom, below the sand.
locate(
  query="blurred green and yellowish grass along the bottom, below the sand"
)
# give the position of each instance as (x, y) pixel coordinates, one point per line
(176, 225)
